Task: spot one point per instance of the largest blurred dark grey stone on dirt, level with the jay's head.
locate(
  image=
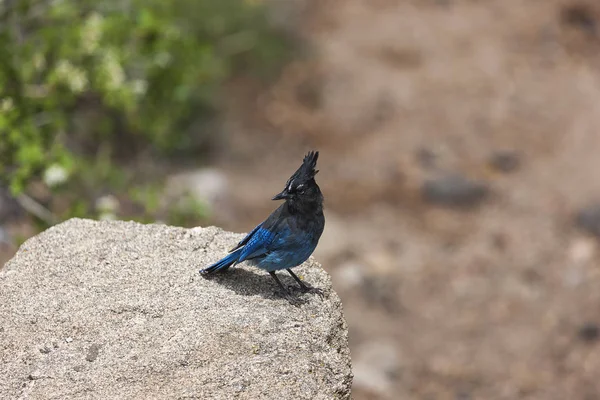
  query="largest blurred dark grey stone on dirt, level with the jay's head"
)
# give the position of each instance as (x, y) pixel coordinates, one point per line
(455, 191)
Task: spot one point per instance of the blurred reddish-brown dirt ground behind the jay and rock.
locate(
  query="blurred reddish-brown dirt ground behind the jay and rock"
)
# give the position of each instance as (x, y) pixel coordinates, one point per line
(494, 299)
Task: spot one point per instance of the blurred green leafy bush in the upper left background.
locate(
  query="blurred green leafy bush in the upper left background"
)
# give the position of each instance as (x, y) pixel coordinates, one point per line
(78, 74)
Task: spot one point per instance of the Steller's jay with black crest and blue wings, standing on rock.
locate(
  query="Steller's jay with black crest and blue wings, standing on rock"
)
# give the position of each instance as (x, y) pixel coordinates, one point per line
(289, 235)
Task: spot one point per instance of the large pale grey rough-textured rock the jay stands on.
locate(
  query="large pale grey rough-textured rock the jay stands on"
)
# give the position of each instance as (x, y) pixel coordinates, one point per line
(117, 310)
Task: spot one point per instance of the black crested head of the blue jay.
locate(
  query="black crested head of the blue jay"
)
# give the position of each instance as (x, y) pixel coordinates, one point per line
(302, 185)
